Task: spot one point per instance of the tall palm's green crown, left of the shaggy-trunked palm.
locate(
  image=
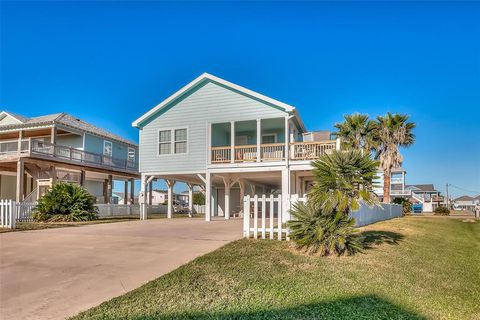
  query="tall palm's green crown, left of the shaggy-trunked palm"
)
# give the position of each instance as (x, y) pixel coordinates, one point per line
(356, 132)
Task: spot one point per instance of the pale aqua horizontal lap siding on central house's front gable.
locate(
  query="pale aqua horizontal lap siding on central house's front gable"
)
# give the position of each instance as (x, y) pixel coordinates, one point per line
(211, 103)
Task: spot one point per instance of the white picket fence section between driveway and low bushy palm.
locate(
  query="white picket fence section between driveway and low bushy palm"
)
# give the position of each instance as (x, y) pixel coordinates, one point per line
(263, 215)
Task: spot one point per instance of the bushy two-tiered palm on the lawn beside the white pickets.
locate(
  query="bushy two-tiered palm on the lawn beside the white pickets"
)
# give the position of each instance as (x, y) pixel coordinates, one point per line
(323, 224)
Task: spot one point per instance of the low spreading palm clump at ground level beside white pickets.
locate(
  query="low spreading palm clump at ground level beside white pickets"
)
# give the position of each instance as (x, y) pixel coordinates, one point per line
(317, 232)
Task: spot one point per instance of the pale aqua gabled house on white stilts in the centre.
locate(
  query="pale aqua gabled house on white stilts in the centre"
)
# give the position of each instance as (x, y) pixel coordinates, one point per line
(229, 140)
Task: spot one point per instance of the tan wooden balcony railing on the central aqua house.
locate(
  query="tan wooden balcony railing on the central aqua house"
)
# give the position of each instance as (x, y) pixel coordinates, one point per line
(272, 152)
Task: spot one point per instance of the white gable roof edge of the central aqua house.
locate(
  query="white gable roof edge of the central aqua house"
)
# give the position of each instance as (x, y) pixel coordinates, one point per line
(207, 76)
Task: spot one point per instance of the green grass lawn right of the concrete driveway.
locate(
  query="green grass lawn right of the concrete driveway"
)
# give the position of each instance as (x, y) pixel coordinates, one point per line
(415, 268)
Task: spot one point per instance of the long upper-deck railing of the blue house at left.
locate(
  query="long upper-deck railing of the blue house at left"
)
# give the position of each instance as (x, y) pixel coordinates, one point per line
(39, 147)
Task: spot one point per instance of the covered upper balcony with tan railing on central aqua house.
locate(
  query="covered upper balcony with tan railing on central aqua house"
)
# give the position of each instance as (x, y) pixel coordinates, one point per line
(264, 140)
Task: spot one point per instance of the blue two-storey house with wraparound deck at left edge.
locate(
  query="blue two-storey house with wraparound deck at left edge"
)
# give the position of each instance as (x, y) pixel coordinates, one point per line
(36, 152)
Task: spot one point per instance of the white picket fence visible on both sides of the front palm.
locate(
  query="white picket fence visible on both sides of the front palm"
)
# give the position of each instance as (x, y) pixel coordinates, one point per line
(263, 215)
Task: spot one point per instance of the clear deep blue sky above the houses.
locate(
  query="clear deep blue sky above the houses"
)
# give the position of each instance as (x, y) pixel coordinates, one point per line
(109, 62)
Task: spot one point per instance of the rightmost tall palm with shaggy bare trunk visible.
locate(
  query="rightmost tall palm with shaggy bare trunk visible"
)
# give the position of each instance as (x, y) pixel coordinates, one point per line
(392, 132)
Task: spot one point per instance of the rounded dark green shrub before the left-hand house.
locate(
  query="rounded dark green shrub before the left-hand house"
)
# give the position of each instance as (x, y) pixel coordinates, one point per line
(65, 202)
